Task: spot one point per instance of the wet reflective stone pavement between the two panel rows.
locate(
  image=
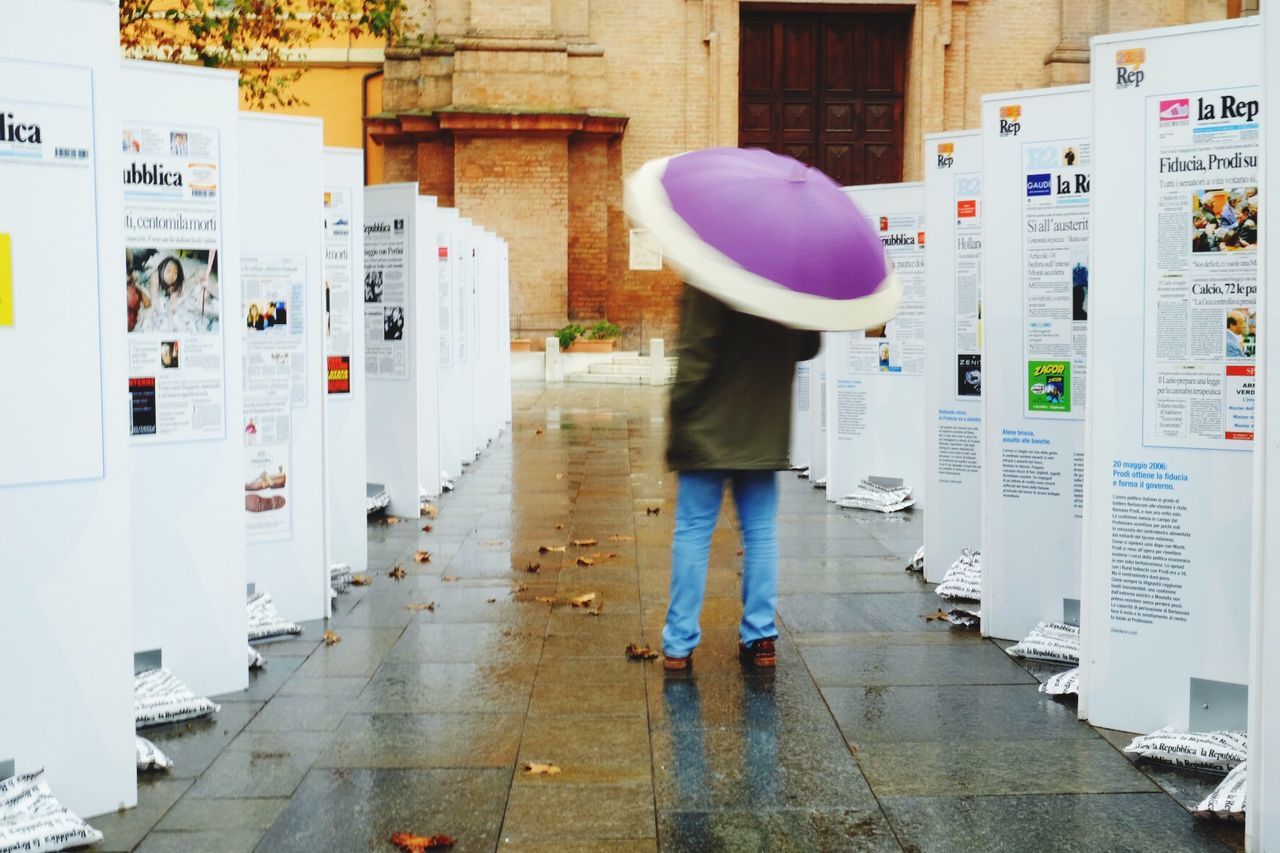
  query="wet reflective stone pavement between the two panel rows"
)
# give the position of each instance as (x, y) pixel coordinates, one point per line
(880, 731)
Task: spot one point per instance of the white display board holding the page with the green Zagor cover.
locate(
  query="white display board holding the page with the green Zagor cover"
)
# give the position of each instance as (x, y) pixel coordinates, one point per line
(1037, 159)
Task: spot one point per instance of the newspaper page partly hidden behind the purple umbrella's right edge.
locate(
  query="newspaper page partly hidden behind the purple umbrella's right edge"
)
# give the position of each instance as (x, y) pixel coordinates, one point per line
(898, 346)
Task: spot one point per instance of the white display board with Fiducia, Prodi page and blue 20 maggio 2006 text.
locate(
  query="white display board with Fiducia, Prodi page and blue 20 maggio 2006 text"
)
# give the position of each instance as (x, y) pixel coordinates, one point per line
(1172, 416)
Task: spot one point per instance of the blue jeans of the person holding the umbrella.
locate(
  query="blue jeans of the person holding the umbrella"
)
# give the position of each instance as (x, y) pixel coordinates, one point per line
(698, 505)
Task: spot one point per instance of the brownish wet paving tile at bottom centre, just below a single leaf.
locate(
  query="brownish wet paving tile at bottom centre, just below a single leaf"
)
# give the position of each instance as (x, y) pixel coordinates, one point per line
(579, 813)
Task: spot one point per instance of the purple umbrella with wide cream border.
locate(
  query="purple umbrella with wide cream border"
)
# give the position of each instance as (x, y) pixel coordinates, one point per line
(766, 235)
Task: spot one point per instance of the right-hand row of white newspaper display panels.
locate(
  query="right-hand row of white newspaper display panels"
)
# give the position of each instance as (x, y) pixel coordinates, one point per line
(1077, 395)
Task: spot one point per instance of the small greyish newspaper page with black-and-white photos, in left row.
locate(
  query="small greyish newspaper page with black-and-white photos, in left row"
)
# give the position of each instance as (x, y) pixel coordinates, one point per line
(386, 298)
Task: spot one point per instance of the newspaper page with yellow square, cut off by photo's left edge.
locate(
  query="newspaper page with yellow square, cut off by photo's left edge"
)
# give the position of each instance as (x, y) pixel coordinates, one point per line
(48, 152)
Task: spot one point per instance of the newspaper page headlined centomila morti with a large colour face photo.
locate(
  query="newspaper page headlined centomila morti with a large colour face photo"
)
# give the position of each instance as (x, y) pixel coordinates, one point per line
(173, 235)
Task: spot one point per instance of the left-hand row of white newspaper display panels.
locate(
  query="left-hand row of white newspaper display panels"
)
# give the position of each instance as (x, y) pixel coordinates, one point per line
(291, 337)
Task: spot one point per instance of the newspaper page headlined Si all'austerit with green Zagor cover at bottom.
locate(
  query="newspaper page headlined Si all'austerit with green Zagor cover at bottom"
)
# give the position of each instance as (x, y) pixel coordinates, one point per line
(1057, 226)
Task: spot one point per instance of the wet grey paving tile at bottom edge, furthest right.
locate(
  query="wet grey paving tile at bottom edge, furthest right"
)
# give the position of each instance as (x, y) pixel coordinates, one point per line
(1080, 824)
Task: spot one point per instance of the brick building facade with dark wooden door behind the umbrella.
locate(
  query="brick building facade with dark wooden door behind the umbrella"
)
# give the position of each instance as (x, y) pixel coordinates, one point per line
(527, 115)
